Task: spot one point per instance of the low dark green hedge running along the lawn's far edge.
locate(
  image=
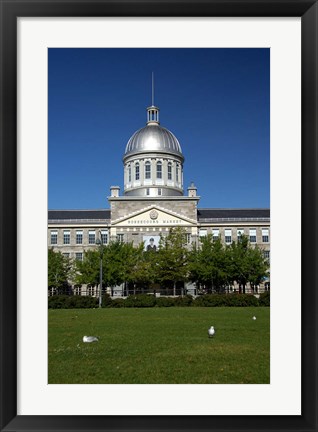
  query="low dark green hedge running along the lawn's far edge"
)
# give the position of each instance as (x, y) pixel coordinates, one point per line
(145, 300)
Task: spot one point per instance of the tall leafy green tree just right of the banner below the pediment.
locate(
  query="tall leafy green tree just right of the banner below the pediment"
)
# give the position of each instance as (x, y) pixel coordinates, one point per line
(172, 258)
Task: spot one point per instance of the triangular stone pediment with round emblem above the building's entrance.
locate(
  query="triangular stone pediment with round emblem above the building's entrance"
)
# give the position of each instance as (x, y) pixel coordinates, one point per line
(154, 216)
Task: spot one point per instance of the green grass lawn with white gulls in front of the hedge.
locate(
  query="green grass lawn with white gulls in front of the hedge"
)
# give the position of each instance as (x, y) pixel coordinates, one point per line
(159, 346)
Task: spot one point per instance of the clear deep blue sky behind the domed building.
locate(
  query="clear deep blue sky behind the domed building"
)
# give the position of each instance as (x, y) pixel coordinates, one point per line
(215, 101)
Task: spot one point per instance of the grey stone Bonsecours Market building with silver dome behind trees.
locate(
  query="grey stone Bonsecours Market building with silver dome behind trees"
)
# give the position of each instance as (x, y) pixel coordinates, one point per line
(153, 201)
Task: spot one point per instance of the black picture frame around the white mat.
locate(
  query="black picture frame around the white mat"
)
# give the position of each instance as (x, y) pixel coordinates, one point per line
(10, 11)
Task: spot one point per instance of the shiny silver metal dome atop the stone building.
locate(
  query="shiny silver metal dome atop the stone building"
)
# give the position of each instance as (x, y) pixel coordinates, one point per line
(153, 138)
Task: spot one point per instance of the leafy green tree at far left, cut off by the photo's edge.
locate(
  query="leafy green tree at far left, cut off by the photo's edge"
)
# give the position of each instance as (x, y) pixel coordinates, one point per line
(59, 270)
